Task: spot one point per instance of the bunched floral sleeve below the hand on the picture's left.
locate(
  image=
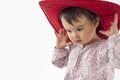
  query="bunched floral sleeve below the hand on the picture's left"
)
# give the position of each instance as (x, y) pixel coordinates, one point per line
(60, 57)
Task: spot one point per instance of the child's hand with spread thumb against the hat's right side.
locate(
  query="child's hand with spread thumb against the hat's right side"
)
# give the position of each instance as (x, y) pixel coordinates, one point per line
(113, 28)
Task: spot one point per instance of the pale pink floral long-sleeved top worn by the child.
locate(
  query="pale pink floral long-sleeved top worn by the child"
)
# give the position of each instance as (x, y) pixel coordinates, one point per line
(95, 61)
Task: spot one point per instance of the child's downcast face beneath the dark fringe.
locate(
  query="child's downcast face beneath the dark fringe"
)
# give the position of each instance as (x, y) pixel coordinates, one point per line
(82, 31)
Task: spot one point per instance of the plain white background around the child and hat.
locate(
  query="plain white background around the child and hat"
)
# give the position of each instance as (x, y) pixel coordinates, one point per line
(26, 43)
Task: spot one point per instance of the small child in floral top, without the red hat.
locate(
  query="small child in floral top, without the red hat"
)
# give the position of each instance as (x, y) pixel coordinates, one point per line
(87, 56)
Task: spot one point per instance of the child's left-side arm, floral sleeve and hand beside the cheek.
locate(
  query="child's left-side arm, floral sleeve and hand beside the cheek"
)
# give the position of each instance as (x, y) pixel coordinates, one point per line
(60, 56)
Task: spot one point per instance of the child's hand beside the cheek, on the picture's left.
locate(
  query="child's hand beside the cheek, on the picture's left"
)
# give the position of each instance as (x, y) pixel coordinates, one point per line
(61, 39)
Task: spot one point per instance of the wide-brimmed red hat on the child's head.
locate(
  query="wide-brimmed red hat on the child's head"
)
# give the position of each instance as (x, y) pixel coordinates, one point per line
(104, 9)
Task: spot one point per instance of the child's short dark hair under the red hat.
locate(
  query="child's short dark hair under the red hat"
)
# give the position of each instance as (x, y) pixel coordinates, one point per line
(71, 13)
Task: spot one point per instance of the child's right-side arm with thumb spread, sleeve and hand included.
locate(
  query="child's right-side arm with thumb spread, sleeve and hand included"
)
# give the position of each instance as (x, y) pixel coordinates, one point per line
(114, 43)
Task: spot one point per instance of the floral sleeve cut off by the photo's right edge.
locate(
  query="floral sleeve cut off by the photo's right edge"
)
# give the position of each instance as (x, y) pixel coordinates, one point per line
(114, 50)
